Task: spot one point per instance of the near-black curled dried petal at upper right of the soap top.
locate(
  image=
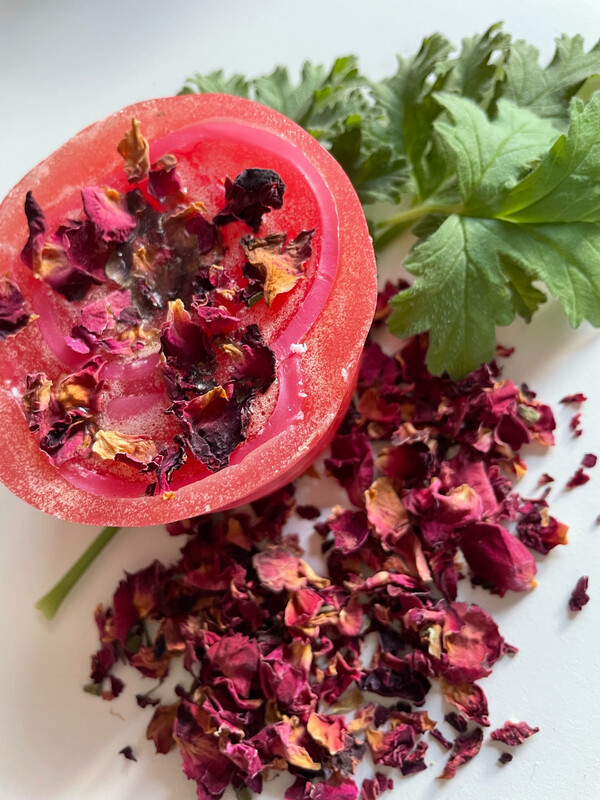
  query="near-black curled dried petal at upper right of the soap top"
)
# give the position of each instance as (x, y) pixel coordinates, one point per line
(251, 195)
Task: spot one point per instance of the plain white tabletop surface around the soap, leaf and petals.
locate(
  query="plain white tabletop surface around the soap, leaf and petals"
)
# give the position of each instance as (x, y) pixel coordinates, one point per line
(64, 64)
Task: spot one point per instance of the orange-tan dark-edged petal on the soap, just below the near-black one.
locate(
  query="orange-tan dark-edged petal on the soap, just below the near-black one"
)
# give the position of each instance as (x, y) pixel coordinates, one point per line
(275, 265)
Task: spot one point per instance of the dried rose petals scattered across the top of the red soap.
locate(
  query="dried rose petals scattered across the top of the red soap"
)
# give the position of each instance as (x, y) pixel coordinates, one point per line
(167, 288)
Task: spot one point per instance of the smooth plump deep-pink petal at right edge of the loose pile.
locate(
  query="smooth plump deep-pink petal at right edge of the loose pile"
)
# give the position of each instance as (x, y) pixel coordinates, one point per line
(498, 557)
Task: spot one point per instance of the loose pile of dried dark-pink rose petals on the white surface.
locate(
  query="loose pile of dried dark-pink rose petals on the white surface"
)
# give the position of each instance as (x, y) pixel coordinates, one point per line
(277, 653)
